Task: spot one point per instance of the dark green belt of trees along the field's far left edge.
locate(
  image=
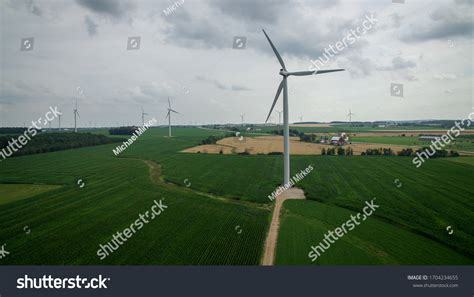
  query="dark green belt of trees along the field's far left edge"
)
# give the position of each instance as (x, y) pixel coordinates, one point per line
(51, 142)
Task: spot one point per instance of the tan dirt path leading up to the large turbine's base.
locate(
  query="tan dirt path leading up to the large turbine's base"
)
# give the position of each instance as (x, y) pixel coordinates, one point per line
(272, 236)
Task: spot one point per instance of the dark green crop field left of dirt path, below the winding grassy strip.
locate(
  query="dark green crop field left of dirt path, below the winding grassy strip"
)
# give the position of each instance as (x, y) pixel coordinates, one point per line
(68, 224)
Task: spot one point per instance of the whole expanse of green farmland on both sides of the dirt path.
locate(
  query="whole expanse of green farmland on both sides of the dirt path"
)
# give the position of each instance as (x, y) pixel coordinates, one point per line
(211, 197)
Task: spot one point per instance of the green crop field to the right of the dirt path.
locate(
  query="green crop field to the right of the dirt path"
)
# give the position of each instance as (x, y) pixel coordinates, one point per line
(418, 206)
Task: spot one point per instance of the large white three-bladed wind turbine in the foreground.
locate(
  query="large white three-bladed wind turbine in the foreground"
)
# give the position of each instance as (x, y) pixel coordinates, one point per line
(284, 86)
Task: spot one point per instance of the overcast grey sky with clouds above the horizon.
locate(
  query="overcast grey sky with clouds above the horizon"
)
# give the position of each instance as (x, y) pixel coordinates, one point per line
(80, 52)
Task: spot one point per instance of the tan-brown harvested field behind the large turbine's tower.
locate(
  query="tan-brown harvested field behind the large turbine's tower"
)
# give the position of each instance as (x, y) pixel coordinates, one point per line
(268, 144)
